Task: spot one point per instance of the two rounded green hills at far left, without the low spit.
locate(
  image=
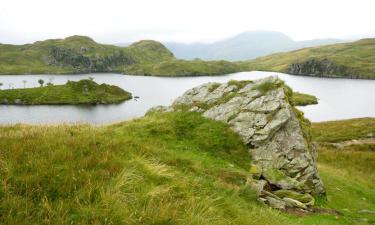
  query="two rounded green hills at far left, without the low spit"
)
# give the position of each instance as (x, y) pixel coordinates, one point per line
(77, 54)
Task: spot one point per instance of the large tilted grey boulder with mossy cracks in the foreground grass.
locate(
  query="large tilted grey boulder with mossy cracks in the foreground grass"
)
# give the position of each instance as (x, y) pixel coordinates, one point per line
(283, 169)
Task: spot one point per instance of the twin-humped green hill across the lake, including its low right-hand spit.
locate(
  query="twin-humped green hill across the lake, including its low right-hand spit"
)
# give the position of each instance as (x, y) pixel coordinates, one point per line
(79, 54)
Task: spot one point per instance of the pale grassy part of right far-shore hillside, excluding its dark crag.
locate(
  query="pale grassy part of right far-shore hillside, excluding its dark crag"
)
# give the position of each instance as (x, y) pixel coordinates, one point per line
(358, 56)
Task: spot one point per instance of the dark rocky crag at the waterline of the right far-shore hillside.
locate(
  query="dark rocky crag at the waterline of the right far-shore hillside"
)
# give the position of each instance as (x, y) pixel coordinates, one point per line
(315, 67)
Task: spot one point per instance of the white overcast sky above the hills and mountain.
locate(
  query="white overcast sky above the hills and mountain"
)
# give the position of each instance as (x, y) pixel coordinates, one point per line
(122, 21)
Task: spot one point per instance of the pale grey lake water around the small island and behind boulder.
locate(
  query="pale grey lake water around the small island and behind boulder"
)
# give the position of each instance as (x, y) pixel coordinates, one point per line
(338, 98)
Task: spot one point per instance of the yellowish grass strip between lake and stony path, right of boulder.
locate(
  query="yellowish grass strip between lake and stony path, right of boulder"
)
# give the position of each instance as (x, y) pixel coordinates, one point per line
(344, 130)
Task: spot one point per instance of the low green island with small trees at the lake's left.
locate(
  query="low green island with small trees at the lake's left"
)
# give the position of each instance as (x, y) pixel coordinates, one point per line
(84, 91)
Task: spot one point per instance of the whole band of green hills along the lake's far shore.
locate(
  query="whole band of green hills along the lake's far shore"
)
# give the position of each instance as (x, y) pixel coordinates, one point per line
(80, 54)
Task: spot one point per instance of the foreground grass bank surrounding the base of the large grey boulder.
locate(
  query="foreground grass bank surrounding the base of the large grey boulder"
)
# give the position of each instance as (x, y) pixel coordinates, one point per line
(173, 168)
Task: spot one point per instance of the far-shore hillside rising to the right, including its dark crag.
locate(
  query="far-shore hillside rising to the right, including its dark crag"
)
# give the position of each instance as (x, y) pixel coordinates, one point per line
(355, 59)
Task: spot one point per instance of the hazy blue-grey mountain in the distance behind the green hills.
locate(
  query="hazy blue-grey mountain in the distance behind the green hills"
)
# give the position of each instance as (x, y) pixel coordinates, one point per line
(248, 45)
